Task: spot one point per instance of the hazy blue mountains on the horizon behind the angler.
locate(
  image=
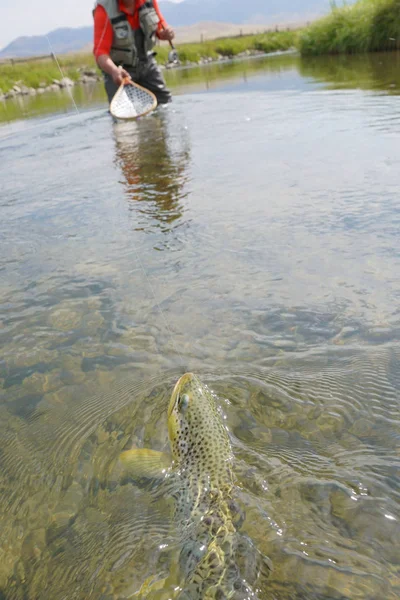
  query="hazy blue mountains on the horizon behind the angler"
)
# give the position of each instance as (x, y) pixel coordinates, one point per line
(186, 13)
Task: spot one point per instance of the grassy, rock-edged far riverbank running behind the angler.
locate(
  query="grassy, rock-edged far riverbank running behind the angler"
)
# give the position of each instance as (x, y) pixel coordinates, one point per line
(46, 75)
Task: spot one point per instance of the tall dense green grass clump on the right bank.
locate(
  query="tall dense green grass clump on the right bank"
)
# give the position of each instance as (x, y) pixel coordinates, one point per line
(366, 26)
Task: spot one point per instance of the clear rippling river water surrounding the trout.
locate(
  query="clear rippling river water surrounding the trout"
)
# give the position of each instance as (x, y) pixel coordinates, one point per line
(251, 237)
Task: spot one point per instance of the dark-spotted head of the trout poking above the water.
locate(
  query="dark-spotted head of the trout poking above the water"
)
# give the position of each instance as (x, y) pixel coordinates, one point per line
(196, 430)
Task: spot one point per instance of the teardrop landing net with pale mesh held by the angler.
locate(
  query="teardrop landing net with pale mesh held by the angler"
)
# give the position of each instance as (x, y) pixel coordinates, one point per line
(132, 101)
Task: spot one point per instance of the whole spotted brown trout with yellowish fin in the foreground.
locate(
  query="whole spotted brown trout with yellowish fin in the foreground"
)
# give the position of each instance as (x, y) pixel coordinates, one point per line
(204, 507)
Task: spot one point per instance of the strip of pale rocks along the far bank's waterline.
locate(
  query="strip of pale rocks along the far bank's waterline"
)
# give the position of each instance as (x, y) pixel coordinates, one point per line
(89, 76)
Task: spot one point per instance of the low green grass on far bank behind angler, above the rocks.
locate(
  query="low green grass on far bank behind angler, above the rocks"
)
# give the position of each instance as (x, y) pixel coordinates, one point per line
(33, 73)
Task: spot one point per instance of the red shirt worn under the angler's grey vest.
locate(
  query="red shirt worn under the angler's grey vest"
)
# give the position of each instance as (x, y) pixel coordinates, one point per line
(103, 32)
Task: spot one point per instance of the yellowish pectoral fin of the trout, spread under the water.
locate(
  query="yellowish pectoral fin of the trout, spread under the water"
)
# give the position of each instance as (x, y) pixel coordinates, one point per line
(143, 463)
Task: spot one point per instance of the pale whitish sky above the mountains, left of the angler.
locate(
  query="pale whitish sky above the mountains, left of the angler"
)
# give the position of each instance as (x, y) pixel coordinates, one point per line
(23, 17)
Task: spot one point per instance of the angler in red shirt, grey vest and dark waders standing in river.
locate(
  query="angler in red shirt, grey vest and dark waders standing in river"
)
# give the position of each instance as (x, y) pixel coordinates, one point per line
(124, 38)
